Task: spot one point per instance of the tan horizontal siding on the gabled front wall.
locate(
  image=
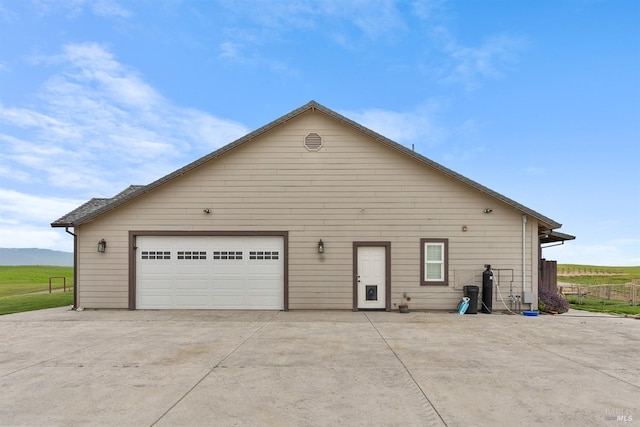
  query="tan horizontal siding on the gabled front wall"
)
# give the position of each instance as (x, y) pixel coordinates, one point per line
(353, 189)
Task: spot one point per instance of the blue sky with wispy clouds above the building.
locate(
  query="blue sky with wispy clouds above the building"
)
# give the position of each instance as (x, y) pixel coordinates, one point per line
(537, 100)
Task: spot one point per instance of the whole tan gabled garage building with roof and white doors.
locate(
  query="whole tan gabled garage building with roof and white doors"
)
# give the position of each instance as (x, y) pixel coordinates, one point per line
(311, 211)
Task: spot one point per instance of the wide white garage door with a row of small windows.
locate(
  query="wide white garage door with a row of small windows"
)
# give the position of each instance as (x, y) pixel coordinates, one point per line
(210, 272)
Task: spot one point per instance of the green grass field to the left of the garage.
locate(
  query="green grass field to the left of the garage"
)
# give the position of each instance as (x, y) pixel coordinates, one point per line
(19, 284)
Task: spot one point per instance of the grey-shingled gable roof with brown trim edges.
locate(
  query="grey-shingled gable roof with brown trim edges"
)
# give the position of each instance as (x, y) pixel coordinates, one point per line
(97, 207)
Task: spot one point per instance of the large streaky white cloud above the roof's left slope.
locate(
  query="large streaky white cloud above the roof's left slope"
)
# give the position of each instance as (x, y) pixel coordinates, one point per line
(99, 118)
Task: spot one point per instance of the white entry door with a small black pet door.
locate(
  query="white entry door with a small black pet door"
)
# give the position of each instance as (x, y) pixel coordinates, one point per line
(371, 277)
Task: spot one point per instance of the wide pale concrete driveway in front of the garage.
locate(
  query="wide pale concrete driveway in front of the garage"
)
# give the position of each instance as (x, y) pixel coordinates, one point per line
(303, 368)
